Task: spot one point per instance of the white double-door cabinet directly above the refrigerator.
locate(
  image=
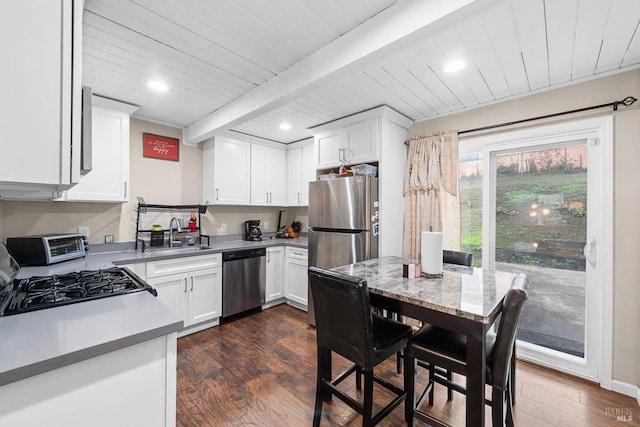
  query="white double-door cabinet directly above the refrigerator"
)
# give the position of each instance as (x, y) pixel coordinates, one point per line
(350, 145)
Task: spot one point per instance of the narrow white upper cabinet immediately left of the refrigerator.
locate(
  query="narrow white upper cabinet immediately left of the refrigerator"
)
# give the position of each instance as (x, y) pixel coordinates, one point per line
(300, 170)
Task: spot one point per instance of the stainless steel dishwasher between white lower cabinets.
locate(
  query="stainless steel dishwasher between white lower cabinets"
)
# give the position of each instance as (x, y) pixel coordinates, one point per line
(243, 280)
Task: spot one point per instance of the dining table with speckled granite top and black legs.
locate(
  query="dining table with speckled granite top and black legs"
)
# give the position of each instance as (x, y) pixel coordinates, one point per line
(463, 299)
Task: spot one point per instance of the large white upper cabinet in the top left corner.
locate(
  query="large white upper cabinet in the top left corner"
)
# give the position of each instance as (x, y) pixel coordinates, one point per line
(40, 112)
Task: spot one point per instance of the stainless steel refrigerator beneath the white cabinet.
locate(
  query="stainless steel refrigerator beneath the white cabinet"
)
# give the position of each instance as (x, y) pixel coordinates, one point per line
(343, 223)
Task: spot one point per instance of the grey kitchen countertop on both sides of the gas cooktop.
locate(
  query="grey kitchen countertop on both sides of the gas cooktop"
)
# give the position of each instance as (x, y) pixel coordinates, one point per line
(35, 342)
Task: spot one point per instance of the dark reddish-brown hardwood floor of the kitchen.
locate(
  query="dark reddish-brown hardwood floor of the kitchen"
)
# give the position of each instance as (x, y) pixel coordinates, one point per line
(260, 371)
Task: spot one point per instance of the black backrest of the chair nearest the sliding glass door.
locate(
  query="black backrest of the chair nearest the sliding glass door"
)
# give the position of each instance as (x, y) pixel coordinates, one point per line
(500, 358)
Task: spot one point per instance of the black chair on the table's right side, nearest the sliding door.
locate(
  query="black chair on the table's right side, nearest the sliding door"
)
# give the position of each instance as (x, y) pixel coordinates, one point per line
(447, 349)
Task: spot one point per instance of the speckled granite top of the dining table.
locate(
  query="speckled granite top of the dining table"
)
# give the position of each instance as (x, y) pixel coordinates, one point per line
(471, 293)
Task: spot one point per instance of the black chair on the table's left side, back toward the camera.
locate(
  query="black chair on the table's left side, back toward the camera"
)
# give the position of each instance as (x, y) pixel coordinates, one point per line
(346, 325)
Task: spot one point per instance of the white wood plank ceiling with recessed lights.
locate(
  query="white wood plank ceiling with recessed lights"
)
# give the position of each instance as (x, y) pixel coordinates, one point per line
(215, 54)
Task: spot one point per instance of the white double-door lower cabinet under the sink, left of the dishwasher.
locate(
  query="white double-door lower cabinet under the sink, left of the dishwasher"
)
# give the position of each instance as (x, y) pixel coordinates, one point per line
(191, 287)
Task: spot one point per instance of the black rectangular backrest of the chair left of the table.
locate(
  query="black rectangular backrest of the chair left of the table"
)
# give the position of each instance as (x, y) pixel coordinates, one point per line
(344, 321)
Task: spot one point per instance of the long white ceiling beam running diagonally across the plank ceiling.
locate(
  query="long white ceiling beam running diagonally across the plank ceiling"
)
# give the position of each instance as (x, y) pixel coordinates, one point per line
(392, 29)
